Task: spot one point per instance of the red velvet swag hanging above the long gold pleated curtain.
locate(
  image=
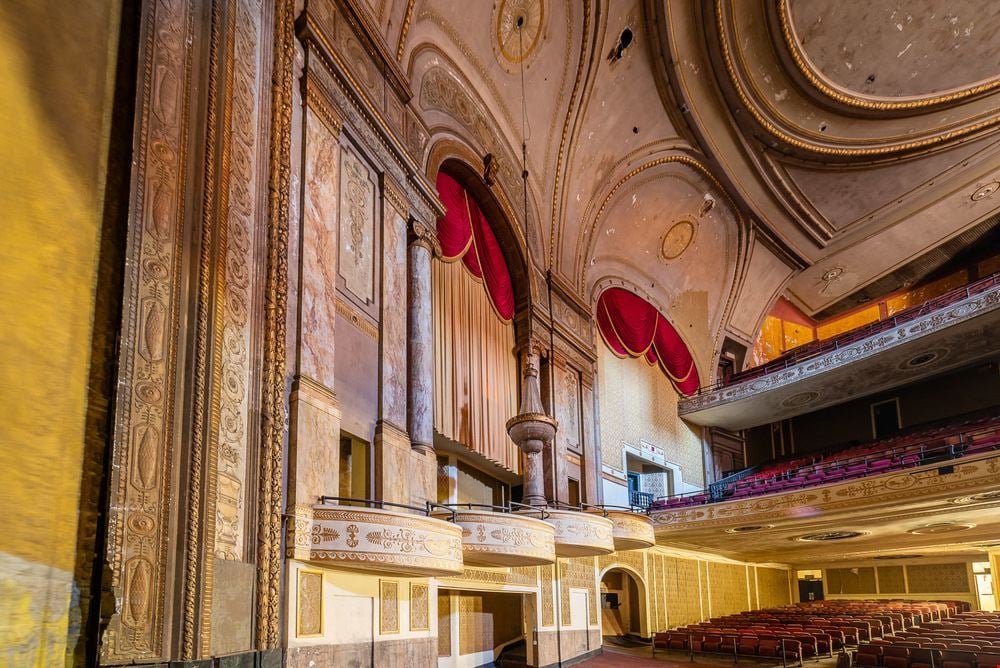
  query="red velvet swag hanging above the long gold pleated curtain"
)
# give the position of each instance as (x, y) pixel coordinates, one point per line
(465, 233)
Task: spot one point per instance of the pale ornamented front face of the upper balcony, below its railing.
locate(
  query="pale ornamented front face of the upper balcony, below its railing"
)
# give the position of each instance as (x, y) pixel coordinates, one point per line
(970, 307)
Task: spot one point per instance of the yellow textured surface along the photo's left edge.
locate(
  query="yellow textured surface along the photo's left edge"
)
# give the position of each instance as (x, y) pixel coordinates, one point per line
(58, 61)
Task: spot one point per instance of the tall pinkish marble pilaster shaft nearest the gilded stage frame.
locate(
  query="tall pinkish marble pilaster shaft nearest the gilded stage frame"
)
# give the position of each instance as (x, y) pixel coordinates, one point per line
(319, 250)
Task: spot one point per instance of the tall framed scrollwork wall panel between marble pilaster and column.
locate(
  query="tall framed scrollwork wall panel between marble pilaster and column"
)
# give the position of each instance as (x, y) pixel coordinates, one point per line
(358, 215)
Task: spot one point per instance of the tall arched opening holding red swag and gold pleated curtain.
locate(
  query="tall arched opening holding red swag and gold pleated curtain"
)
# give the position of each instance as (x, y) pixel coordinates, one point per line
(477, 288)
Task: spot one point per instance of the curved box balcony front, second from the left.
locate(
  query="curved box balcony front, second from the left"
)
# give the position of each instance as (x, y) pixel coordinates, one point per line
(491, 538)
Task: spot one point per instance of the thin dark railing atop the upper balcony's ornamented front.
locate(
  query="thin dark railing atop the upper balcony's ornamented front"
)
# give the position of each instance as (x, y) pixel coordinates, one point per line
(816, 348)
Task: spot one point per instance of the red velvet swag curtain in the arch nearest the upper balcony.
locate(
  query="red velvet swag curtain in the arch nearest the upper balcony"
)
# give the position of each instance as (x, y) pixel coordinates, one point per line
(632, 327)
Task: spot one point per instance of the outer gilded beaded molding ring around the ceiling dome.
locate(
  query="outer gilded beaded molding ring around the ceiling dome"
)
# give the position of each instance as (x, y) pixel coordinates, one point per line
(822, 149)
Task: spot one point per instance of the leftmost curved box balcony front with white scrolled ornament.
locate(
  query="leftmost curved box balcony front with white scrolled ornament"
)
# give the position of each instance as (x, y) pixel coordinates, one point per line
(379, 539)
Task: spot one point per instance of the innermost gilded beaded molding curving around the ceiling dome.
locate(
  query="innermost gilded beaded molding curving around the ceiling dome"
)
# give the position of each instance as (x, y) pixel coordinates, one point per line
(805, 68)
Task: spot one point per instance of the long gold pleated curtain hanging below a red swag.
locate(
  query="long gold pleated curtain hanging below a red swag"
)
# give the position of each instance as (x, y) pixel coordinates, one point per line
(475, 372)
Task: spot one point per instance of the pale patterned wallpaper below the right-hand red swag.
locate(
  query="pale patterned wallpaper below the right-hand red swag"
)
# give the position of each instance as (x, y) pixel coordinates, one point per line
(638, 403)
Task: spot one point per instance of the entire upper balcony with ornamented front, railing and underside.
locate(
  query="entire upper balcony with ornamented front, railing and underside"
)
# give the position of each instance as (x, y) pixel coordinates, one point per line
(957, 328)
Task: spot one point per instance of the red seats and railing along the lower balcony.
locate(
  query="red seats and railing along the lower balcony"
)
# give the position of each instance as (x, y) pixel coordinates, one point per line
(970, 436)
